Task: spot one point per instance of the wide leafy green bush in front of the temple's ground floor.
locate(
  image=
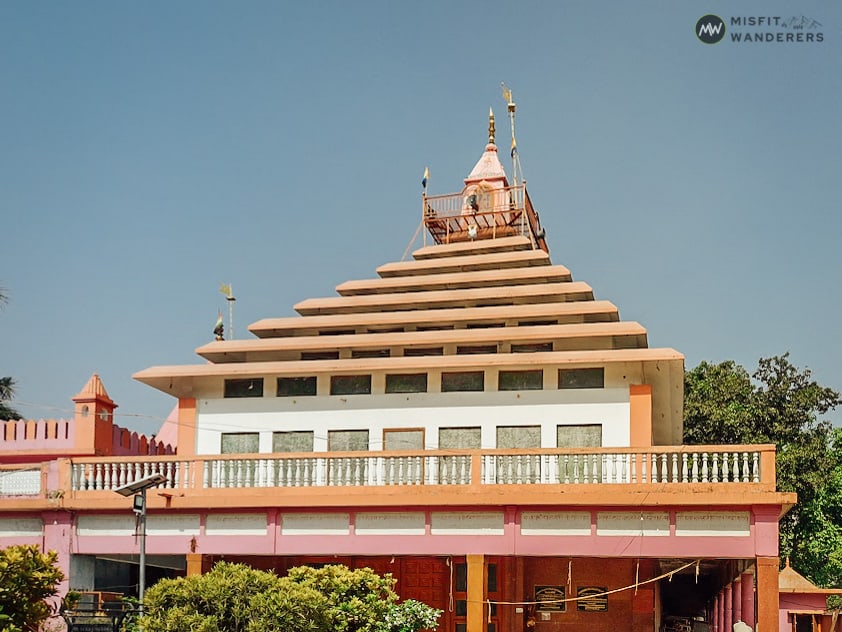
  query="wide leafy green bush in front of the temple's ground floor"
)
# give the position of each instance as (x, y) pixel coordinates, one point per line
(237, 598)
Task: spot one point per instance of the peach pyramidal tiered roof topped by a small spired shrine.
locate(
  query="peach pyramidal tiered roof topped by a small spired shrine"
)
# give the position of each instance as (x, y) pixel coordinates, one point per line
(483, 295)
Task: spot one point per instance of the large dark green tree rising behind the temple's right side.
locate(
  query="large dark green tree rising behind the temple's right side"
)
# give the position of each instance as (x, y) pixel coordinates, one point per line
(779, 404)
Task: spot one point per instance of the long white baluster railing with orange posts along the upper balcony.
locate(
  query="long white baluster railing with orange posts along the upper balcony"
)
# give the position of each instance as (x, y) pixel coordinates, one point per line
(617, 466)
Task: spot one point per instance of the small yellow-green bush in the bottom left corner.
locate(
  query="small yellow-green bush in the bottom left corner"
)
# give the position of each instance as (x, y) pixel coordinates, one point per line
(27, 579)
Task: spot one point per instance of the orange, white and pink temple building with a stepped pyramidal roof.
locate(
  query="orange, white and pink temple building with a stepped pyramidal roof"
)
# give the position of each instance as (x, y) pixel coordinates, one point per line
(471, 420)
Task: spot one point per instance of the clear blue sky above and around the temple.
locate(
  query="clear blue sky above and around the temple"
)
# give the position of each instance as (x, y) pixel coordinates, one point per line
(151, 151)
